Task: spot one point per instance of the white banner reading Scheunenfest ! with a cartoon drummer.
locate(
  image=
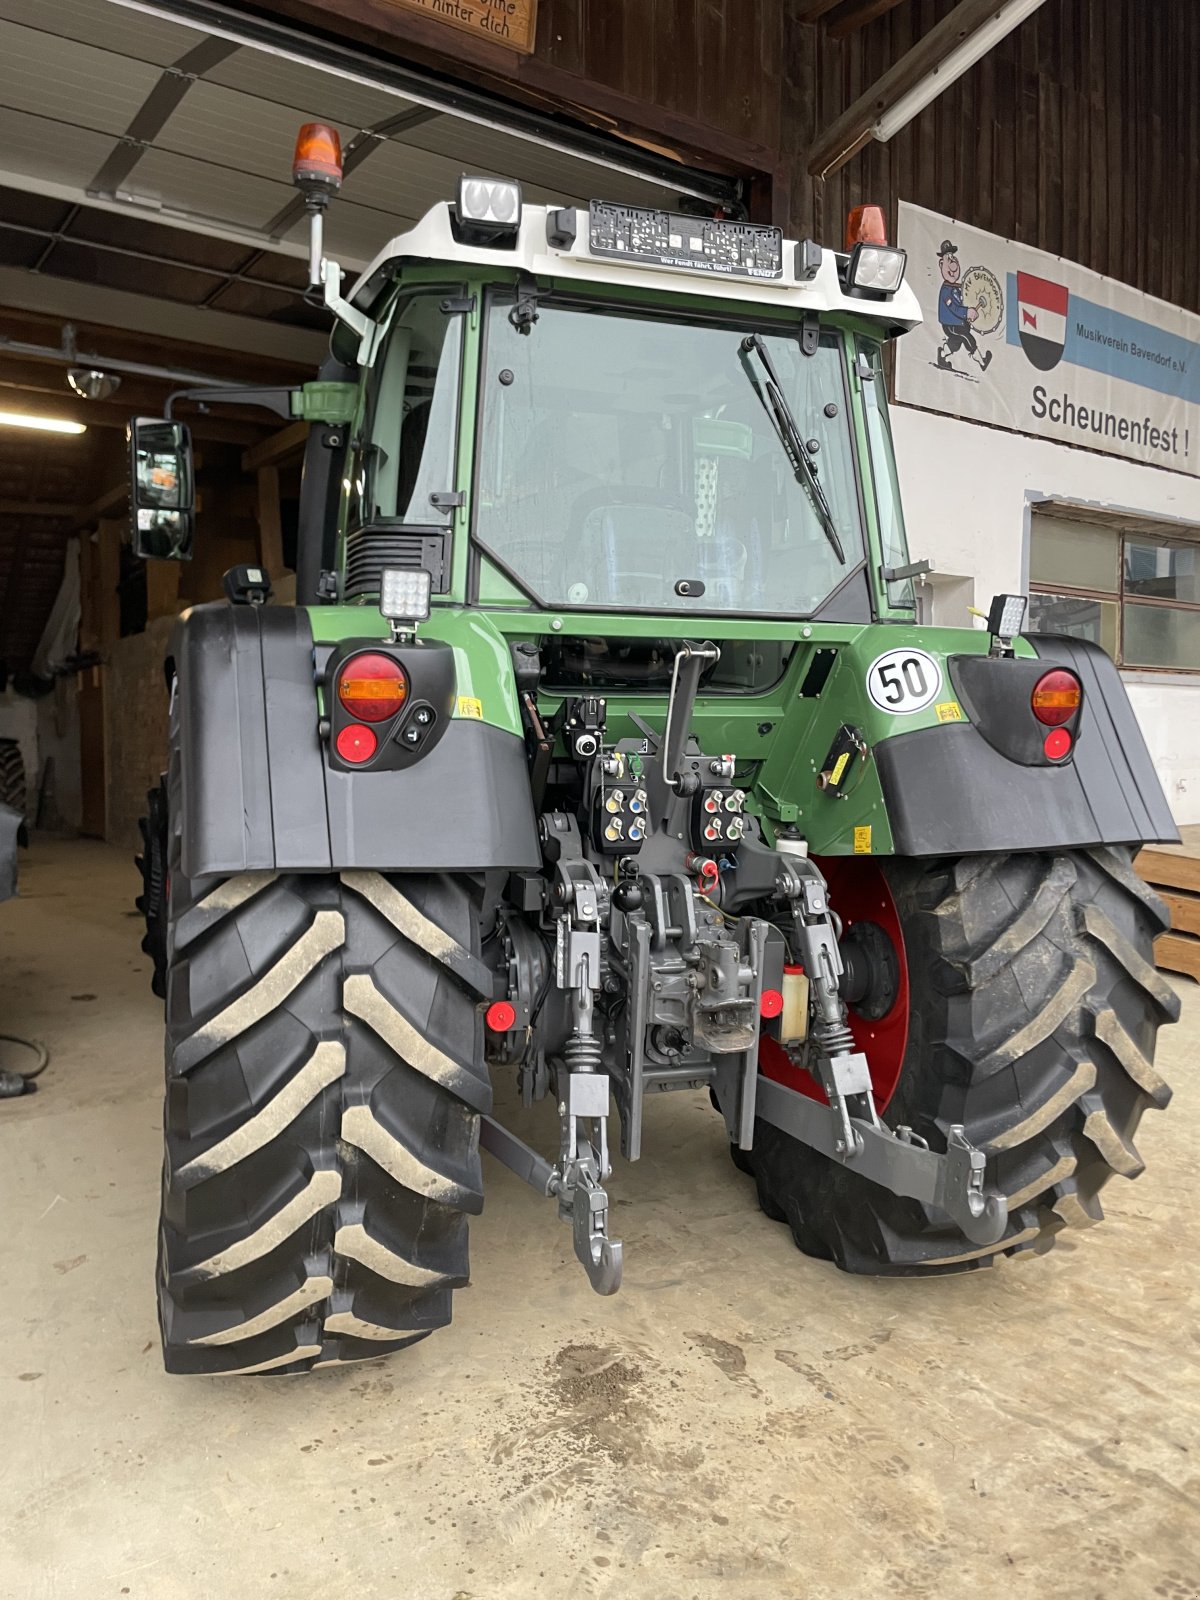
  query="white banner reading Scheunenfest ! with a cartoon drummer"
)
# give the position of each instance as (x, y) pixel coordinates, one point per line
(1028, 342)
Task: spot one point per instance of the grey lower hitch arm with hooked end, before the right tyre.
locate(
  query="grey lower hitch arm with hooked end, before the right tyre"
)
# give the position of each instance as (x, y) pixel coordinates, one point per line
(953, 1183)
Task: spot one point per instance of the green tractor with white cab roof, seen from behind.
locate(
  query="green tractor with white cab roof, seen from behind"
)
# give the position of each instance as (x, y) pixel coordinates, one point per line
(604, 750)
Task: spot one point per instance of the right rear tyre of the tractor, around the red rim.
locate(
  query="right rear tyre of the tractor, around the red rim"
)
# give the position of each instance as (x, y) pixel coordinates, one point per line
(1034, 1014)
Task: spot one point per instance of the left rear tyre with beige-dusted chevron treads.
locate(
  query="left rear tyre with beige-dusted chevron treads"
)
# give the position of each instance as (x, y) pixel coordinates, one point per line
(324, 1086)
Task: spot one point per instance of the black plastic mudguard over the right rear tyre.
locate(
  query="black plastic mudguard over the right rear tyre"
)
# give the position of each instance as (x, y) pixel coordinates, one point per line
(950, 791)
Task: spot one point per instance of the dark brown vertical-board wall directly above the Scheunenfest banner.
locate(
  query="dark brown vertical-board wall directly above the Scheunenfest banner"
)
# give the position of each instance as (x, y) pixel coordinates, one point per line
(1079, 134)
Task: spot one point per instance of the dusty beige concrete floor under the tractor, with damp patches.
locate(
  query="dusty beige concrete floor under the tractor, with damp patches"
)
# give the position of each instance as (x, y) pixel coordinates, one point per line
(740, 1422)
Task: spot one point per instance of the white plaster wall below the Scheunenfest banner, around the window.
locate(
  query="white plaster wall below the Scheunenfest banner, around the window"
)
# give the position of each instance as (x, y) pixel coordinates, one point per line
(967, 490)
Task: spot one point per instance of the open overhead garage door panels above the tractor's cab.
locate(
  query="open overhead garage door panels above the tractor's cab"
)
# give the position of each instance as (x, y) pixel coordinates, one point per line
(110, 103)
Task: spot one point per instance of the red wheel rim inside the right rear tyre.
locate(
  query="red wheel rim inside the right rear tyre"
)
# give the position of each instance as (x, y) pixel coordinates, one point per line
(858, 892)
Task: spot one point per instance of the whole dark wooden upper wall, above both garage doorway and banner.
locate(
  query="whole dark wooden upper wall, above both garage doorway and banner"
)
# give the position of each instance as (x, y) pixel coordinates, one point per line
(1079, 134)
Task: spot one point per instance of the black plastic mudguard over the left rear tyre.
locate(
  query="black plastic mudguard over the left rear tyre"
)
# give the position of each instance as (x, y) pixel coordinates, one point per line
(260, 794)
